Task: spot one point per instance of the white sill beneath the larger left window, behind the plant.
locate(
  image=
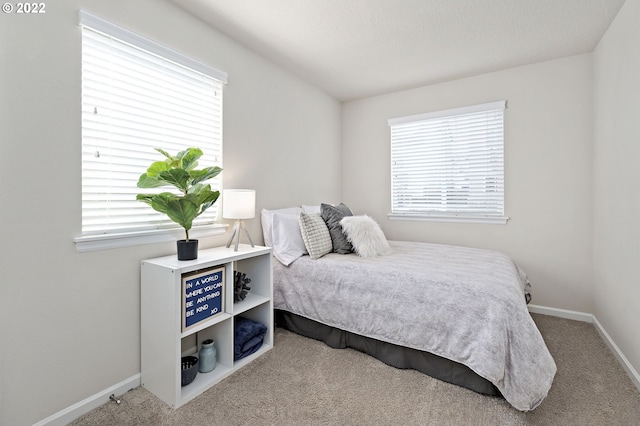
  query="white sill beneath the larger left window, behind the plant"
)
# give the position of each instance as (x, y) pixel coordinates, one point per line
(111, 241)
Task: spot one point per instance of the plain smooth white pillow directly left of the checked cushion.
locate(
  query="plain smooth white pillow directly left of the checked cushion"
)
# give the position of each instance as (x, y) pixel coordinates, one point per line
(287, 239)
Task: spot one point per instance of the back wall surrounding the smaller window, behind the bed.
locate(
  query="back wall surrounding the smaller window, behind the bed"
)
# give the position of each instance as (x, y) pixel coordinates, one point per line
(547, 171)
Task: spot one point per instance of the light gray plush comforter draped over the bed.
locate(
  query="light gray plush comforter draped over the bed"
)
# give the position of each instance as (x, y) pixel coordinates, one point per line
(464, 304)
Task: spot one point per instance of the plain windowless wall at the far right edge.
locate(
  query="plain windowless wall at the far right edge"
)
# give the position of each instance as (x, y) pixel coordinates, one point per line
(617, 181)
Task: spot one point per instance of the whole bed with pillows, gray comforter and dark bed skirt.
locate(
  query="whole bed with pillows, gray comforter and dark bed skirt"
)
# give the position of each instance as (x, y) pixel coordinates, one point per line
(458, 314)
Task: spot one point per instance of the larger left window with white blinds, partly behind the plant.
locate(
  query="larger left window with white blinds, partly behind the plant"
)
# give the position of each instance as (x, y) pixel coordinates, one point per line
(138, 95)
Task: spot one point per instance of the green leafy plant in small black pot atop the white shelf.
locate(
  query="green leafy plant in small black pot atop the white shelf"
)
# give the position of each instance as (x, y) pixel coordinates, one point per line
(195, 197)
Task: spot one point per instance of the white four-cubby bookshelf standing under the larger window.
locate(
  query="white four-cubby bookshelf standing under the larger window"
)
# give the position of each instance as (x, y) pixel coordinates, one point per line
(163, 342)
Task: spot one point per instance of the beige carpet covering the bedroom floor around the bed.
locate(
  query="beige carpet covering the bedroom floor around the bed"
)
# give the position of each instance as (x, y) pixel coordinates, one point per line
(304, 382)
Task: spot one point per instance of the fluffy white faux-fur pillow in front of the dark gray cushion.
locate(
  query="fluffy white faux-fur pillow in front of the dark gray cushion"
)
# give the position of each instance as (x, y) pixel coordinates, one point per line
(365, 235)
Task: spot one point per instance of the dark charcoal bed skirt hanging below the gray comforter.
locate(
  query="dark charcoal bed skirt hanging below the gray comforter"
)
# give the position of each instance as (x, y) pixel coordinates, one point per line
(394, 355)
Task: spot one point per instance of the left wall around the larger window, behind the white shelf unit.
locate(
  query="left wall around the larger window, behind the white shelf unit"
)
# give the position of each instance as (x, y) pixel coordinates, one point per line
(69, 321)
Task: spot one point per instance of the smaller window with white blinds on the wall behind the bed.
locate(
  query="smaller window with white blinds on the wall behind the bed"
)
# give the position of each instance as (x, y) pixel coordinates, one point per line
(449, 165)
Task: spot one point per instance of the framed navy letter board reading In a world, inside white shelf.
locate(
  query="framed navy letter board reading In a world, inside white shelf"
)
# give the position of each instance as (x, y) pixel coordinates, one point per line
(202, 296)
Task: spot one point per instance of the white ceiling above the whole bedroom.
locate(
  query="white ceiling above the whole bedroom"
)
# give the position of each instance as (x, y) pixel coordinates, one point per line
(358, 48)
